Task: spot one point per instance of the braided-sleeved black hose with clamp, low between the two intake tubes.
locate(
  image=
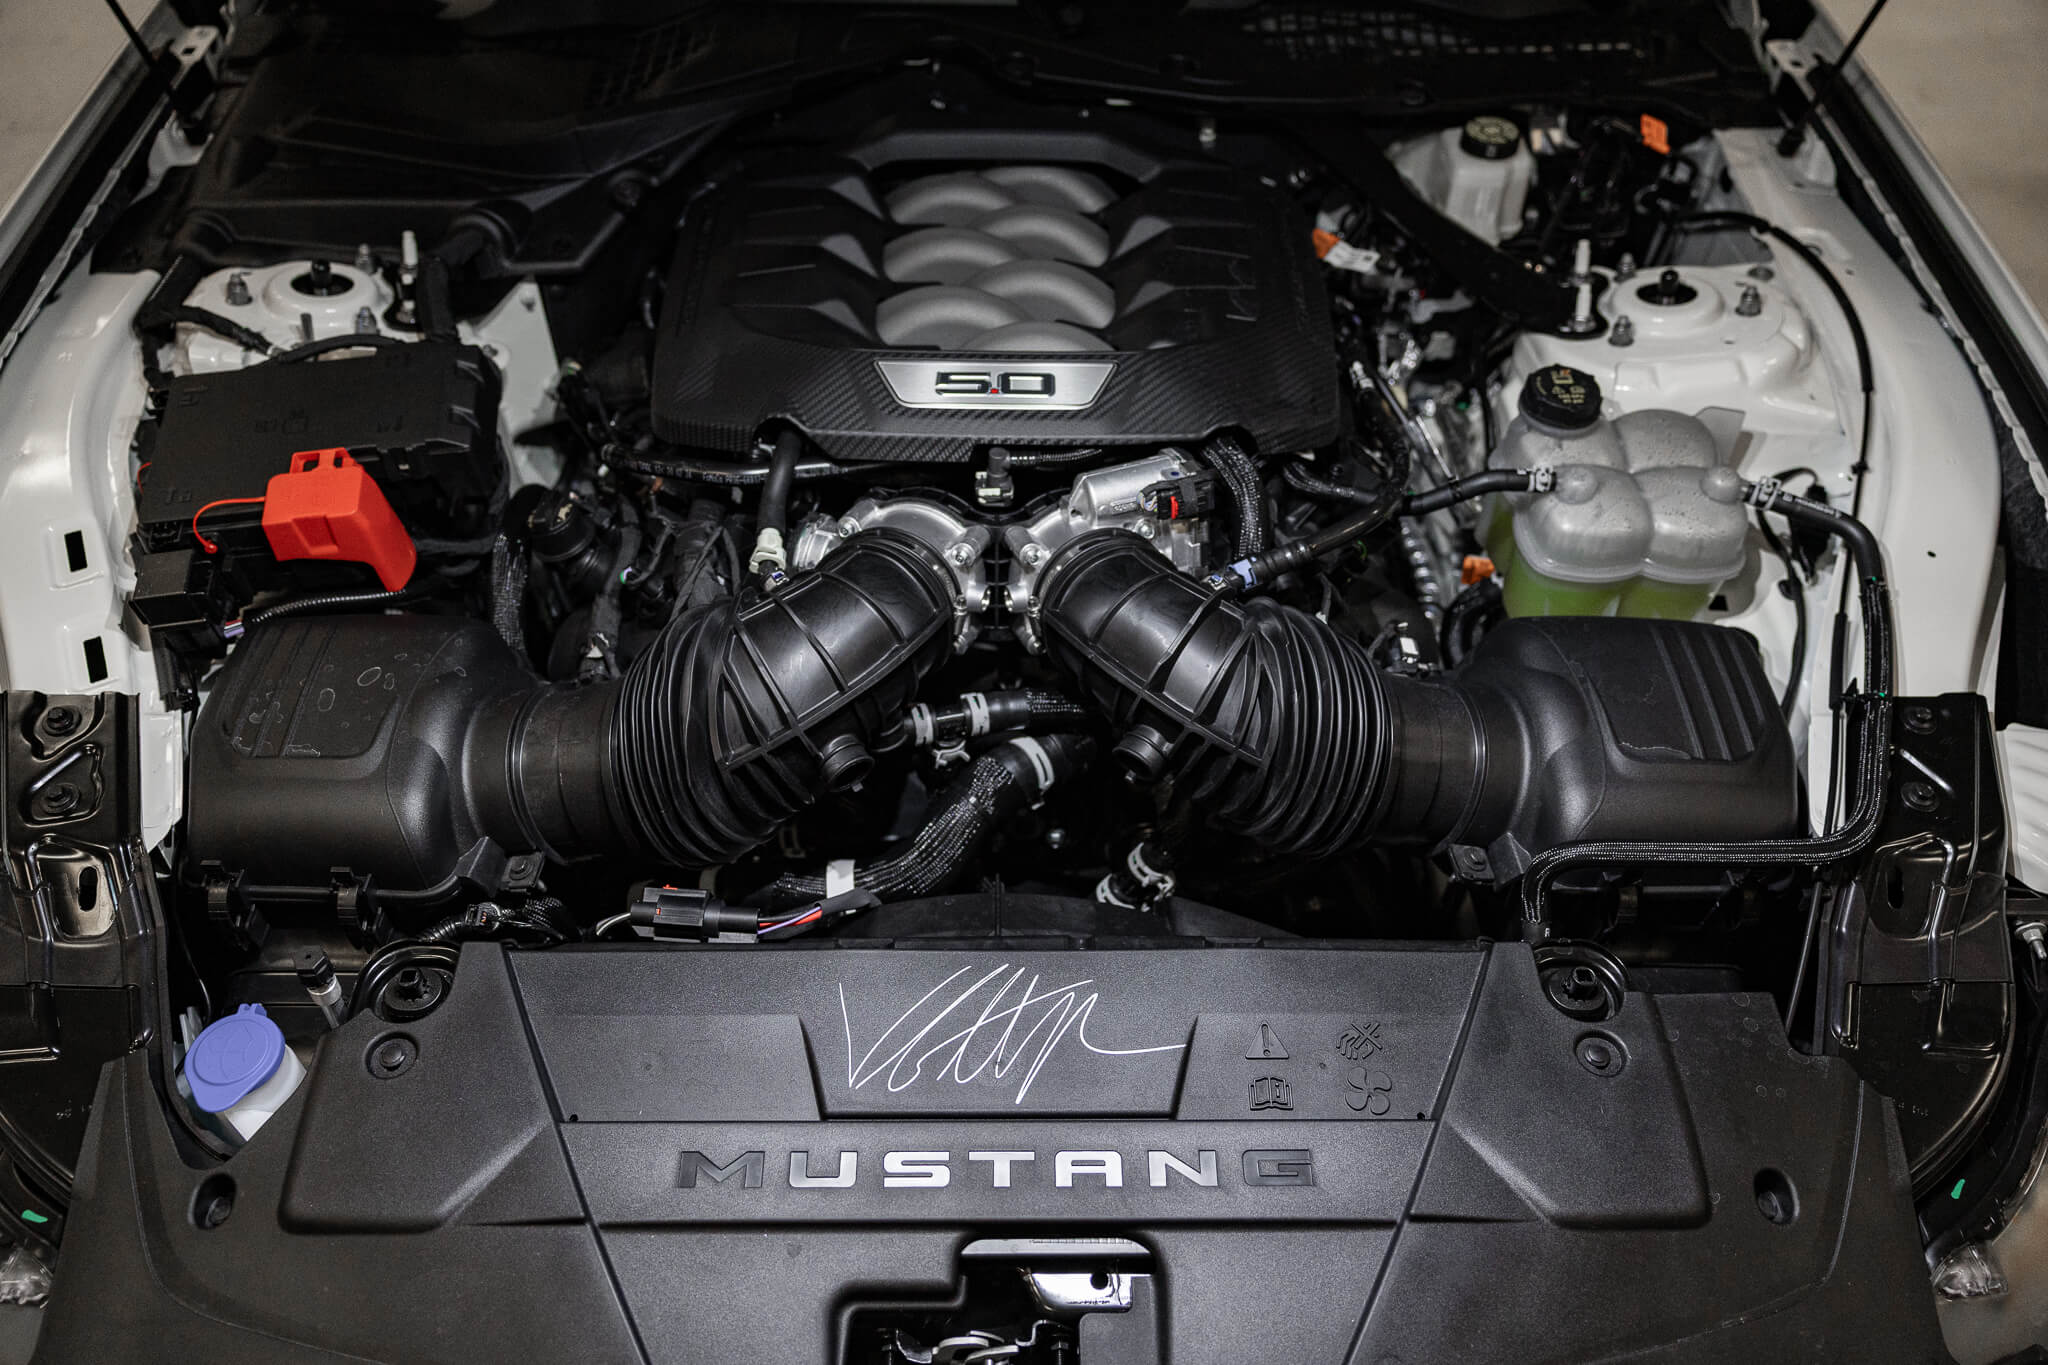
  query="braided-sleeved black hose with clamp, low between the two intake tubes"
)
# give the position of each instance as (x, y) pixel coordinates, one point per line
(996, 789)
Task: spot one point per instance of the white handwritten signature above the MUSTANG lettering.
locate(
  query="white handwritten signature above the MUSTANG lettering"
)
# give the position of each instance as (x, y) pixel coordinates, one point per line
(990, 1043)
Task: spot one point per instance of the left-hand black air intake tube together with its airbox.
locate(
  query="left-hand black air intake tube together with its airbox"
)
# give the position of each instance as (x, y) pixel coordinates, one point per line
(419, 752)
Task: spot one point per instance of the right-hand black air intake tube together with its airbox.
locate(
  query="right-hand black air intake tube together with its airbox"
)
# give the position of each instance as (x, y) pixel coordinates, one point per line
(1287, 734)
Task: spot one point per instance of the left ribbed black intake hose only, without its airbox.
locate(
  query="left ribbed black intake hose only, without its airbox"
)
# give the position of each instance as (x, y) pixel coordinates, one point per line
(740, 715)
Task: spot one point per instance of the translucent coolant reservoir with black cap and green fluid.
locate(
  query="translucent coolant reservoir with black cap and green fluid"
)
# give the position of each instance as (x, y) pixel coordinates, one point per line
(1644, 519)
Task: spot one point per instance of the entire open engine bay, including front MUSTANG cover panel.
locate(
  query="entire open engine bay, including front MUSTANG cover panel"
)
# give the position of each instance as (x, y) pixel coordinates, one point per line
(1330, 654)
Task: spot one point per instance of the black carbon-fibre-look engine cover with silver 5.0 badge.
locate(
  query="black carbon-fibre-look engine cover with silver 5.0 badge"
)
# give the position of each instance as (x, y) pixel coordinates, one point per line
(925, 294)
